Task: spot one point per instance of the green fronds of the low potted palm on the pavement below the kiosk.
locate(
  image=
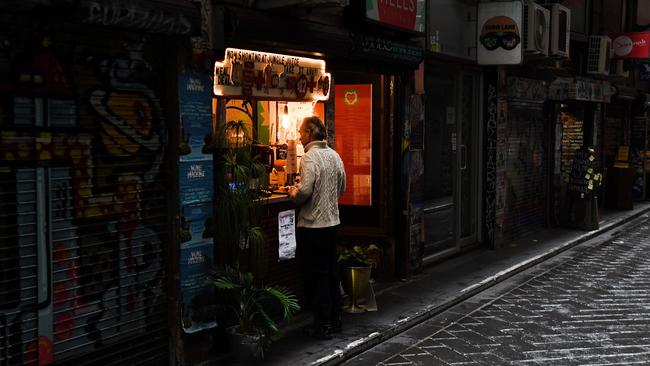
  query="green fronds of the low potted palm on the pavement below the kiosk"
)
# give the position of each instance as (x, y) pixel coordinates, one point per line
(250, 302)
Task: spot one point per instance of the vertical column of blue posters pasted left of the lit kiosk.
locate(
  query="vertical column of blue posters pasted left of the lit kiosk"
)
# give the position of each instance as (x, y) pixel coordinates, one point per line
(196, 207)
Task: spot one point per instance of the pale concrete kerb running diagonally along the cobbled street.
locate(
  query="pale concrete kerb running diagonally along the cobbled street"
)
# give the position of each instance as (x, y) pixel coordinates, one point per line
(379, 336)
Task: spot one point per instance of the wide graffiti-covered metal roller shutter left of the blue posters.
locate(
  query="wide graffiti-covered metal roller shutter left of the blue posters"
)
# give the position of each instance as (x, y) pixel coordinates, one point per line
(109, 239)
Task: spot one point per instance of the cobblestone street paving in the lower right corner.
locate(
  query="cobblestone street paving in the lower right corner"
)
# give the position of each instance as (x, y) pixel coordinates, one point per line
(589, 307)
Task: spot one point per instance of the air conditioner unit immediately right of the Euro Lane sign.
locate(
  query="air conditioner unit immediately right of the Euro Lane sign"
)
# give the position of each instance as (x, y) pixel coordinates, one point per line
(537, 21)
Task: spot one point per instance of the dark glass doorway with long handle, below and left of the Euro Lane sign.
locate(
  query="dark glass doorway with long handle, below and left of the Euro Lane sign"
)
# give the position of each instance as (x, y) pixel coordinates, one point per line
(452, 162)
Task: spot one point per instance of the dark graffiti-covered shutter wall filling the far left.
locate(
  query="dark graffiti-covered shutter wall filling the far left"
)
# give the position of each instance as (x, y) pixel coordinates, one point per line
(86, 114)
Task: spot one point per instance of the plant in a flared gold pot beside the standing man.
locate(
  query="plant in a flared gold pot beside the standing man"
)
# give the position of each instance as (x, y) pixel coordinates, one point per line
(356, 266)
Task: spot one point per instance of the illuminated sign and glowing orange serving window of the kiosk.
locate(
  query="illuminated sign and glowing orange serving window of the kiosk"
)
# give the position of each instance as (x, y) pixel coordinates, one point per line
(272, 92)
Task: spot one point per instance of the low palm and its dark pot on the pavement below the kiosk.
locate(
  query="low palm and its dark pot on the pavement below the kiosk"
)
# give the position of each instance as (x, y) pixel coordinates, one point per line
(250, 303)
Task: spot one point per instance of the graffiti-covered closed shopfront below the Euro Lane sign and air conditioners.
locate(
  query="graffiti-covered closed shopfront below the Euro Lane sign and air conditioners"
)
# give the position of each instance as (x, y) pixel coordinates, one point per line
(521, 162)
